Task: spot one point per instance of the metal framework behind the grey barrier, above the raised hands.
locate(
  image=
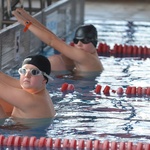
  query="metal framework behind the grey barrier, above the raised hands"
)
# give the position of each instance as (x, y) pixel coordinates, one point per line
(7, 6)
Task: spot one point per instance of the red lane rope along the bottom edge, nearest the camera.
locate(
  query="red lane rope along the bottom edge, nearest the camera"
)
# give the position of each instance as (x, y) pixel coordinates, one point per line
(18, 141)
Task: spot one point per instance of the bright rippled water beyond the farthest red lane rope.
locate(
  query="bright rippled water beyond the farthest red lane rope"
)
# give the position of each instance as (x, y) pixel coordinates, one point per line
(122, 32)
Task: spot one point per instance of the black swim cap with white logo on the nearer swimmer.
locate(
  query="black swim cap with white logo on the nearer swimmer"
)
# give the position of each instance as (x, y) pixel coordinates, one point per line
(41, 62)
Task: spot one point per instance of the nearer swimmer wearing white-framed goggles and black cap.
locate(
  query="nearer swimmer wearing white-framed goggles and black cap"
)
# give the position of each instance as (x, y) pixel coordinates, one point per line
(28, 97)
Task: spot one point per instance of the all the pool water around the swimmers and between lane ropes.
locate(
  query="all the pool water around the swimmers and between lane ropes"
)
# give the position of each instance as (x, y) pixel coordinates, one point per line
(83, 114)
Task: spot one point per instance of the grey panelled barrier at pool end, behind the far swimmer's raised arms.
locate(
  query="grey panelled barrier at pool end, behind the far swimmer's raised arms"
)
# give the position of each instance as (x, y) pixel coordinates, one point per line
(61, 17)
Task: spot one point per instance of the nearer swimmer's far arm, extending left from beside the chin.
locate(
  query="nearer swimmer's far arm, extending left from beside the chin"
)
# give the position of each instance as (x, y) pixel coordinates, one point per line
(9, 80)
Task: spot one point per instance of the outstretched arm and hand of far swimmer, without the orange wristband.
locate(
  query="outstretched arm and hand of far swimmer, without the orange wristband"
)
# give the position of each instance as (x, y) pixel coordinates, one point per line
(50, 38)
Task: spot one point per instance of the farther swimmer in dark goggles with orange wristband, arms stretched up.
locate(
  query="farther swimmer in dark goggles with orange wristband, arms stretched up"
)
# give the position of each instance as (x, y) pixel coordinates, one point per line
(82, 57)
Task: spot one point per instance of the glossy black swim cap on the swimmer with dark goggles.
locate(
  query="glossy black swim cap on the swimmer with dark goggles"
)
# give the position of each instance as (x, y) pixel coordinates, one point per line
(88, 32)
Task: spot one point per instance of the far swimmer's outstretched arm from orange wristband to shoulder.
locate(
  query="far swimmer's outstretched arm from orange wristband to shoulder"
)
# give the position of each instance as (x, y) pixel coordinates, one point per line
(52, 40)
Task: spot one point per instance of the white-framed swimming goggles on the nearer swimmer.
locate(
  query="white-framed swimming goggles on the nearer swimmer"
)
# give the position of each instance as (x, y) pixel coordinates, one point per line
(33, 72)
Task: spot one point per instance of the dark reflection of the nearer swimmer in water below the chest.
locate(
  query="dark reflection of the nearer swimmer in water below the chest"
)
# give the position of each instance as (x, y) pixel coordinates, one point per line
(25, 127)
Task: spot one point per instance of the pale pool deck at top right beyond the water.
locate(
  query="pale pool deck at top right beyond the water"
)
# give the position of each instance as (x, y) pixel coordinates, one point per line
(117, 10)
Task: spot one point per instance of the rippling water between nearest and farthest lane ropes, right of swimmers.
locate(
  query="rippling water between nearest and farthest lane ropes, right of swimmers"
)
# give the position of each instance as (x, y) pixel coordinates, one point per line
(84, 114)
